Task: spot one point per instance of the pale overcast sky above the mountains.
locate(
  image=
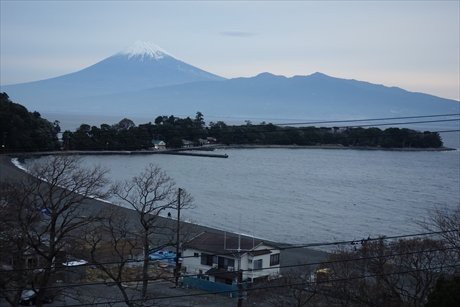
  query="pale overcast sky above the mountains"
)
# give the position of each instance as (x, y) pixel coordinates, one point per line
(413, 45)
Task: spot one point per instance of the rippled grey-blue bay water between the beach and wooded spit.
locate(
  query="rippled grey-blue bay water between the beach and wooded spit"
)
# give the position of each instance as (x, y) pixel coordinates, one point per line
(307, 195)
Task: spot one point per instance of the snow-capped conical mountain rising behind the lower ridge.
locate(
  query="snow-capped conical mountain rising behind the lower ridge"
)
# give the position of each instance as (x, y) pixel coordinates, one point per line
(143, 65)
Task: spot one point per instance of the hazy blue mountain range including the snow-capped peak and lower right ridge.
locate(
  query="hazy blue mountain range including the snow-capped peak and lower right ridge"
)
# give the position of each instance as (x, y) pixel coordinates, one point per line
(144, 80)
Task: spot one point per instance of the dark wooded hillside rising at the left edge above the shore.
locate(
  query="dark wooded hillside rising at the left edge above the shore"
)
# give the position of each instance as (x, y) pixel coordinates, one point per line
(21, 130)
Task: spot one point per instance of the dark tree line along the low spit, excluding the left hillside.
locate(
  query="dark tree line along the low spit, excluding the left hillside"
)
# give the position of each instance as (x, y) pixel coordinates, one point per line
(173, 130)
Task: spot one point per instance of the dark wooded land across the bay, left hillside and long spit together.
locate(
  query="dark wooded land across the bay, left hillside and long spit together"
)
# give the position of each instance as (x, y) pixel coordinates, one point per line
(25, 131)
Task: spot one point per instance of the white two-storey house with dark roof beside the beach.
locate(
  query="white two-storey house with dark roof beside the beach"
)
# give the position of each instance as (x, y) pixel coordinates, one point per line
(215, 257)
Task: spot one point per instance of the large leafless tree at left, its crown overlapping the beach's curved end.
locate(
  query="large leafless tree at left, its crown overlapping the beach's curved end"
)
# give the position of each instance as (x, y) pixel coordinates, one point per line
(52, 212)
